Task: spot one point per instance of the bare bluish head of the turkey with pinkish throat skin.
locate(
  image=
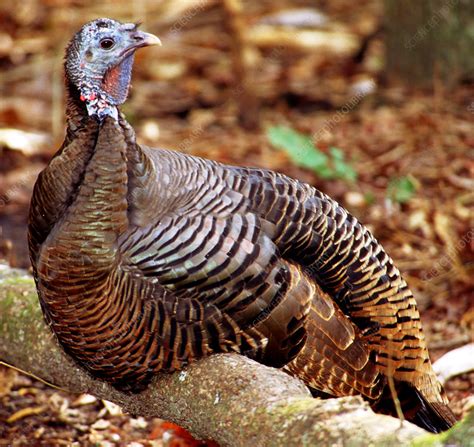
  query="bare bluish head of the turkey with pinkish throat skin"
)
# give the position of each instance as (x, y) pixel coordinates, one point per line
(99, 62)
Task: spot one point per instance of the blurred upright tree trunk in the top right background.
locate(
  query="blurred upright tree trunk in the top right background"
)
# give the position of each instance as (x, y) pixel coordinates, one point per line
(429, 40)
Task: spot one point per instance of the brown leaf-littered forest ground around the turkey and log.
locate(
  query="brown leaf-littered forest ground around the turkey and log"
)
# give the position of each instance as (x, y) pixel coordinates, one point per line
(184, 100)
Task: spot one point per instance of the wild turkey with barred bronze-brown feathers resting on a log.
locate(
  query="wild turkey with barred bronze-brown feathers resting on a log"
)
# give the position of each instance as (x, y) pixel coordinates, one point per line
(147, 259)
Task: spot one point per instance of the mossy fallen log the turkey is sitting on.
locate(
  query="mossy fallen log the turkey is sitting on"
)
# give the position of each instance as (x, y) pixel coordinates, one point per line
(228, 398)
